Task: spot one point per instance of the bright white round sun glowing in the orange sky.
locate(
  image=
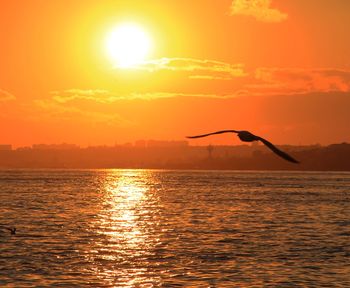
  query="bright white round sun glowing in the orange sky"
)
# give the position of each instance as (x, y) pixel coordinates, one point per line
(128, 45)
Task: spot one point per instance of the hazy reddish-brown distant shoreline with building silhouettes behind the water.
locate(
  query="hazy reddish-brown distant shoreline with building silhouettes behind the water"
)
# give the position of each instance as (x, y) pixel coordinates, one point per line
(335, 157)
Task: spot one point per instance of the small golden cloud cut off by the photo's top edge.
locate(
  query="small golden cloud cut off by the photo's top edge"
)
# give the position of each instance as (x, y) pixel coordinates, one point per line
(259, 9)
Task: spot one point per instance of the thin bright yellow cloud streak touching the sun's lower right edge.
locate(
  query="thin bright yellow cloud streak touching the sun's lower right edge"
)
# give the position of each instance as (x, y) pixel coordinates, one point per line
(196, 68)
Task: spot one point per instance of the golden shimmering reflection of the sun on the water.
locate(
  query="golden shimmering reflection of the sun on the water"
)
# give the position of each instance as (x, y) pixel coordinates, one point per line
(126, 222)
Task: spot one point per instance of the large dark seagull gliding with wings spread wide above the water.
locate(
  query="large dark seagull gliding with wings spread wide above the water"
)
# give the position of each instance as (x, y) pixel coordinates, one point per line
(246, 136)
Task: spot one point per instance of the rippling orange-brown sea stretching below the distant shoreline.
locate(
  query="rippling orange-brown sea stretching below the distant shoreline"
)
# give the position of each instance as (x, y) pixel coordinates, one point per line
(149, 228)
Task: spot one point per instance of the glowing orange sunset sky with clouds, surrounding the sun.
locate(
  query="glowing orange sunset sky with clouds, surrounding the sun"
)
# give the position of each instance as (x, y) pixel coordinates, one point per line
(279, 68)
